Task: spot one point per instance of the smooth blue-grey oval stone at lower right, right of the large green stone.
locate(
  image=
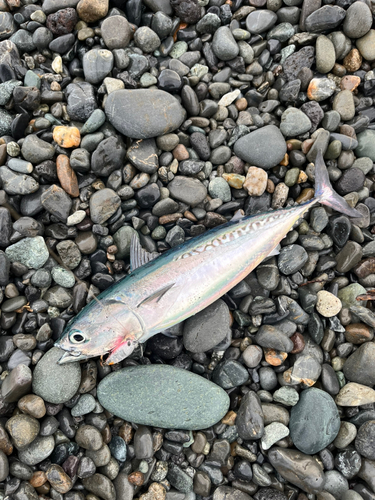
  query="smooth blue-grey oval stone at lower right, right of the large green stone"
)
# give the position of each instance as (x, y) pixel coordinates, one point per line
(314, 421)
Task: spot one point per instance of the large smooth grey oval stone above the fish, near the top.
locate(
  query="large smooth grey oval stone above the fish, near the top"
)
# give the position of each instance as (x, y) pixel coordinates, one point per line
(144, 113)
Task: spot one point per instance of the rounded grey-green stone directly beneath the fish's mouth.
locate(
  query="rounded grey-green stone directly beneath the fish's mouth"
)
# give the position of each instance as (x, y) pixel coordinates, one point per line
(53, 382)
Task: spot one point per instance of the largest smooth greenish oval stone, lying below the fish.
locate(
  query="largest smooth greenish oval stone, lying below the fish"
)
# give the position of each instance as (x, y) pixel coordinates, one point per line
(163, 396)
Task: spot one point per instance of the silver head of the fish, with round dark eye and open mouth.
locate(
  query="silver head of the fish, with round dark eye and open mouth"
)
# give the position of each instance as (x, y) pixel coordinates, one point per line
(96, 331)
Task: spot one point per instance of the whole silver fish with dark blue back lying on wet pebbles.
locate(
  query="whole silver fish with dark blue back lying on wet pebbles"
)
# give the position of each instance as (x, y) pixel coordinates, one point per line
(162, 291)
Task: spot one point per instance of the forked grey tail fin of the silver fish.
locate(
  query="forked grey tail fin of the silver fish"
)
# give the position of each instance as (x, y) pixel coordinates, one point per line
(324, 192)
